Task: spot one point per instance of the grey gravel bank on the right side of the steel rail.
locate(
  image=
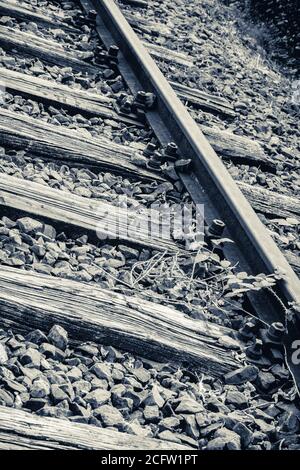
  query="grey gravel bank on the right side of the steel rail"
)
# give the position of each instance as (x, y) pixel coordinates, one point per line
(230, 62)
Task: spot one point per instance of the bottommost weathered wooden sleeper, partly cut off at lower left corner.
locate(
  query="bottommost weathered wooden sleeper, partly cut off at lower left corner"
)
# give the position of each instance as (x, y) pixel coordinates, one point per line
(20, 430)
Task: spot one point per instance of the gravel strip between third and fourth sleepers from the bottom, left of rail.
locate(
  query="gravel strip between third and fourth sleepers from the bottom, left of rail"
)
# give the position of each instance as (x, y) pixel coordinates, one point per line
(102, 186)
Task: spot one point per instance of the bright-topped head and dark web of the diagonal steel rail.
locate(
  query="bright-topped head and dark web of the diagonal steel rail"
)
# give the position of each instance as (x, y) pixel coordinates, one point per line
(241, 220)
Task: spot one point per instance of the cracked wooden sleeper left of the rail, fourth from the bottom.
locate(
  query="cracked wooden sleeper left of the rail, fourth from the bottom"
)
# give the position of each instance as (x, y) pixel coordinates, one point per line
(21, 132)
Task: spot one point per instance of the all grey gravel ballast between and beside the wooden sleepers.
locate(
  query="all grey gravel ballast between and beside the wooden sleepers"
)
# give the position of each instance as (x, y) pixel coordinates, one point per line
(256, 406)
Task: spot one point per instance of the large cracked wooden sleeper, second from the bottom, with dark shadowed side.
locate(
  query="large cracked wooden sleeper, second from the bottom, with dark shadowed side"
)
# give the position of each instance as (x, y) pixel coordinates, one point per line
(89, 313)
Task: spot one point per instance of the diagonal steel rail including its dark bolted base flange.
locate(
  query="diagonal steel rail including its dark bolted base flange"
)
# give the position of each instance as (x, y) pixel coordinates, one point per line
(210, 183)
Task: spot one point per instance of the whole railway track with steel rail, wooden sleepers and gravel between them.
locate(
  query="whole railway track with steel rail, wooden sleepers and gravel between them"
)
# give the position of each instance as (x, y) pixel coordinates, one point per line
(93, 133)
